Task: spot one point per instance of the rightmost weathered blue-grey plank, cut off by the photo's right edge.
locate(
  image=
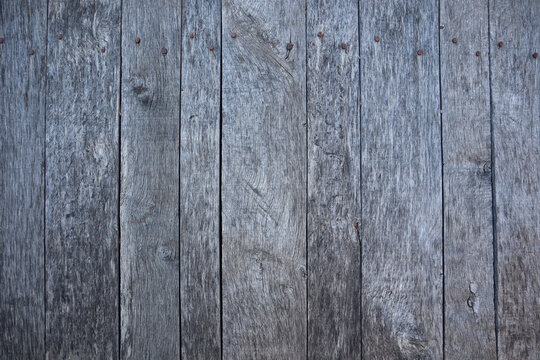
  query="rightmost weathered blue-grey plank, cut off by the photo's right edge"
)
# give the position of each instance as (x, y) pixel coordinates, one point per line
(515, 78)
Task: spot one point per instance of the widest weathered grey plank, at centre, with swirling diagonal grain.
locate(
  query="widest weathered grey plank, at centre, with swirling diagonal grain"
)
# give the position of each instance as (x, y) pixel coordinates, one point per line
(264, 180)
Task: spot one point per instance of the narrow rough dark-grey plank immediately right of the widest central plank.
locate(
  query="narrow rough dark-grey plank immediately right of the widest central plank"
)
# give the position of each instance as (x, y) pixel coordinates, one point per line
(334, 253)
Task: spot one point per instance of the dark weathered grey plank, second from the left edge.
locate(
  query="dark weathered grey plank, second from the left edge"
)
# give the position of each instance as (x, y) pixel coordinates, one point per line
(82, 179)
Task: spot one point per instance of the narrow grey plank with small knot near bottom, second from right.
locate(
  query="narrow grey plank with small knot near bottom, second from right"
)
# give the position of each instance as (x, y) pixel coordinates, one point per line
(468, 230)
